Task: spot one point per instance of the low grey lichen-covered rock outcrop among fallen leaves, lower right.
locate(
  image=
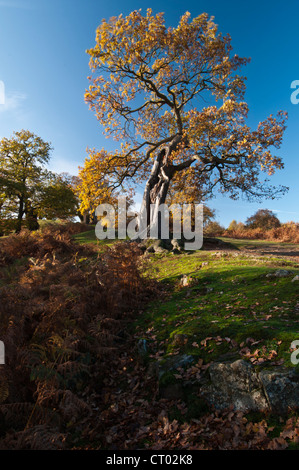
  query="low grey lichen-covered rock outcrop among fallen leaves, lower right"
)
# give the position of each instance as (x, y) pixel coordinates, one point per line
(236, 384)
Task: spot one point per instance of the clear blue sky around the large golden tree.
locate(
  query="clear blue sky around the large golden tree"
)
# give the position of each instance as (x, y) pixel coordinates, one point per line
(44, 67)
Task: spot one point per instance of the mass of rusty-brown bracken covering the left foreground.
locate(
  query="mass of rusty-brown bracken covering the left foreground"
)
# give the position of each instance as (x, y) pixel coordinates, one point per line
(62, 321)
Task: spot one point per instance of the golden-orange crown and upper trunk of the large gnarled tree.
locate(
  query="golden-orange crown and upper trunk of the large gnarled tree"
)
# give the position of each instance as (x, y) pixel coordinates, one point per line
(148, 86)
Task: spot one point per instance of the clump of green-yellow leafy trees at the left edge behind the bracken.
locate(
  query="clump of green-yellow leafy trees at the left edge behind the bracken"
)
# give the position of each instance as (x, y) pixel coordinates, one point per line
(27, 188)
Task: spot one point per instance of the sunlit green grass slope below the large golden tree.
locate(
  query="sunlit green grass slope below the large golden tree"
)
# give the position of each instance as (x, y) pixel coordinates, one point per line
(229, 301)
